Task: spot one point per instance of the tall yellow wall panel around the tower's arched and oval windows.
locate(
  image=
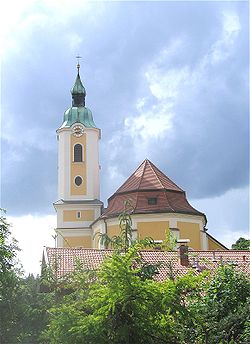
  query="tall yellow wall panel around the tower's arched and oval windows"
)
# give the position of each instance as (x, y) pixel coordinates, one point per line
(78, 168)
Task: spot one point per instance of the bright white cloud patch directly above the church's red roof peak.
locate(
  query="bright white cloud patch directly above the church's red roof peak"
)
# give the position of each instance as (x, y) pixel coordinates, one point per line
(155, 121)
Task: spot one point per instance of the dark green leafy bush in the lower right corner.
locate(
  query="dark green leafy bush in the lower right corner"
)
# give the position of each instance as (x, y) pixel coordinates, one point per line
(227, 304)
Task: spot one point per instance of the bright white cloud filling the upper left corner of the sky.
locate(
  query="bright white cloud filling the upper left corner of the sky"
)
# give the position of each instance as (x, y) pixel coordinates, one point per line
(20, 18)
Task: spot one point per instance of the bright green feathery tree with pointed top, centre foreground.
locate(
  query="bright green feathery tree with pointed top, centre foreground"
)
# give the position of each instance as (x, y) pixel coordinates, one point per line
(124, 303)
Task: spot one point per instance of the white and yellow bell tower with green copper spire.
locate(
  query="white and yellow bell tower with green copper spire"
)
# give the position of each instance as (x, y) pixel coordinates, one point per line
(78, 172)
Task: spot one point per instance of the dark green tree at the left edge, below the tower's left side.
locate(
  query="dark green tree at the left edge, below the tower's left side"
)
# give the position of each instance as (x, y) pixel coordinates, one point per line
(23, 309)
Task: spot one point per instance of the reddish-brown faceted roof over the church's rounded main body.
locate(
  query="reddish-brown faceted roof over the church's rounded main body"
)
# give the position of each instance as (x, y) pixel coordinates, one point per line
(145, 183)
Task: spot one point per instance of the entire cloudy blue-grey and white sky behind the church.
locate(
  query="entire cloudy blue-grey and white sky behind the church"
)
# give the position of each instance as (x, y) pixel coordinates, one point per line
(167, 81)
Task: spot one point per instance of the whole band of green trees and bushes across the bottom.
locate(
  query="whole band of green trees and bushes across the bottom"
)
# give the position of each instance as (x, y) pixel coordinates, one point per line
(122, 302)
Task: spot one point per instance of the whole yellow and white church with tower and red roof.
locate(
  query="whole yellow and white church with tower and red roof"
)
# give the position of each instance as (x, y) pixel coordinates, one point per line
(158, 204)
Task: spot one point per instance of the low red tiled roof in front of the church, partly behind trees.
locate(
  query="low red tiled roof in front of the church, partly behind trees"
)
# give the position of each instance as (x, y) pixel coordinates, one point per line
(64, 260)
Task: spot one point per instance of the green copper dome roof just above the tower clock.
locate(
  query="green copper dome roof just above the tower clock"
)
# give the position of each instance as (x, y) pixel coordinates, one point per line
(78, 115)
